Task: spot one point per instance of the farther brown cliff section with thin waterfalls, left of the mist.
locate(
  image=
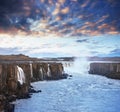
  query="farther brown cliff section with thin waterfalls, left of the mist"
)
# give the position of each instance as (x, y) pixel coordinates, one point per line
(47, 71)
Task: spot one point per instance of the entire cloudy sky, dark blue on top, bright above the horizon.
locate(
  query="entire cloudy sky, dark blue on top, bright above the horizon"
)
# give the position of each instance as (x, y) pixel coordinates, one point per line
(60, 28)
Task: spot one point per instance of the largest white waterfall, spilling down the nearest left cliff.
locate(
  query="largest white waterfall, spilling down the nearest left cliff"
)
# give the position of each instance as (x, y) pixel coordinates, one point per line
(20, 75)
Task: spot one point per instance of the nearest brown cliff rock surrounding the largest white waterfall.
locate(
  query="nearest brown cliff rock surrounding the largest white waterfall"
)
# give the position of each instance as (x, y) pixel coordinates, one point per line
(10, 86)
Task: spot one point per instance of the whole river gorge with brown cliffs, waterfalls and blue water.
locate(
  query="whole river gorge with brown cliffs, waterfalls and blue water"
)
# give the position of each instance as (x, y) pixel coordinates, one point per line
(18, 77)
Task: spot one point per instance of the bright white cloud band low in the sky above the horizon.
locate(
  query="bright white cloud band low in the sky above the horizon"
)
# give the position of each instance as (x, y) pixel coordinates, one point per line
(60, 47)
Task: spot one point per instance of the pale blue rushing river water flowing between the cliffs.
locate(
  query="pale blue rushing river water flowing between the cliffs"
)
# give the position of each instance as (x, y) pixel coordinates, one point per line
(81, 93)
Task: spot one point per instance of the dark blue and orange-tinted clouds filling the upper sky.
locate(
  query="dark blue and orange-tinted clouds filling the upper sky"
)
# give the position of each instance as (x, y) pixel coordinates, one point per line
(60, 17)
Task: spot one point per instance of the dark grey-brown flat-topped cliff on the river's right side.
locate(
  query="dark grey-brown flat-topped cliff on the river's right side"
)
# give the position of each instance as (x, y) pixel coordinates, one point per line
(111, 70)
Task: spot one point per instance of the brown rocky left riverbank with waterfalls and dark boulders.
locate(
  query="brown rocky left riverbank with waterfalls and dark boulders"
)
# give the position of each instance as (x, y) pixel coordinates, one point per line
(16, 77)
